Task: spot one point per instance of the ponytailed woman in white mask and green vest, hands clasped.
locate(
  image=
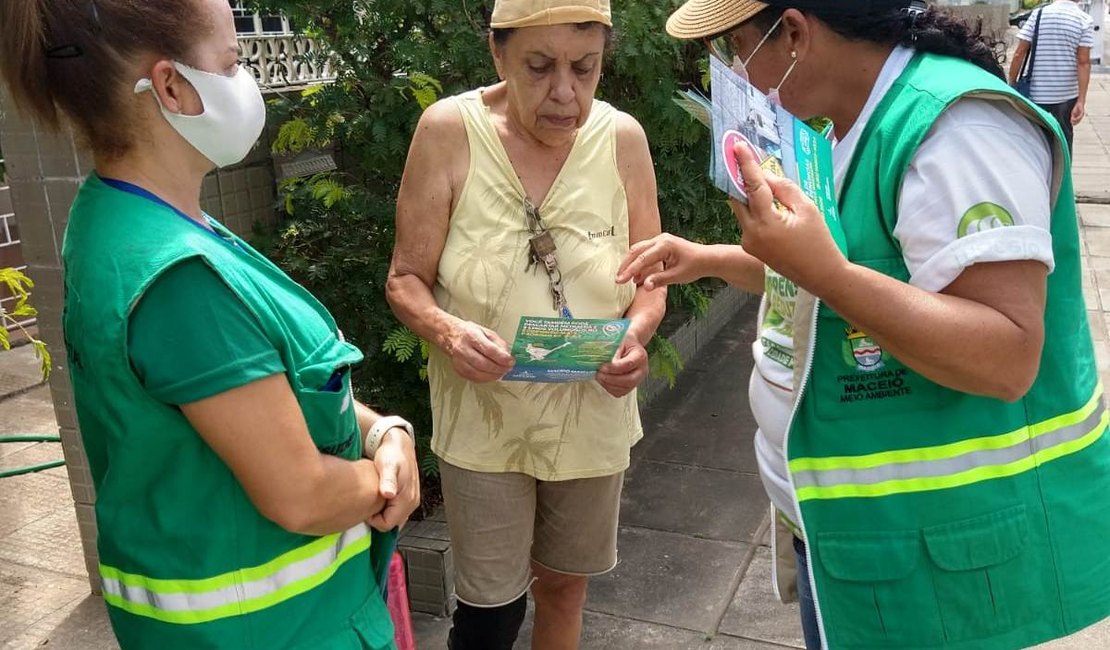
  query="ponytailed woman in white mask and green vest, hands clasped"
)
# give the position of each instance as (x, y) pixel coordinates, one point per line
(238, 482)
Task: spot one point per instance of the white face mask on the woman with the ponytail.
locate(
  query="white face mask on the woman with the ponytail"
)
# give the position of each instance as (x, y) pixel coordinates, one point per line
(235, 115)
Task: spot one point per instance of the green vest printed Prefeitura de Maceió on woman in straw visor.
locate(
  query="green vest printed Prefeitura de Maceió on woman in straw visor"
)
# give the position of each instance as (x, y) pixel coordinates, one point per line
(936, 519)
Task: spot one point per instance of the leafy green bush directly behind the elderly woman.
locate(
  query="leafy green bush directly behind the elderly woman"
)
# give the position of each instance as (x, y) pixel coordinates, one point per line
(393, 59)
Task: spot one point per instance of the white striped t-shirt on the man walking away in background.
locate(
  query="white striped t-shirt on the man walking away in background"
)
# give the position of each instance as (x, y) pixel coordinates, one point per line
(1065, 28)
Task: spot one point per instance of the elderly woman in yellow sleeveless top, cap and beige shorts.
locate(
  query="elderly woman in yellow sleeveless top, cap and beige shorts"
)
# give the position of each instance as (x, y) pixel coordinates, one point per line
(532, 473)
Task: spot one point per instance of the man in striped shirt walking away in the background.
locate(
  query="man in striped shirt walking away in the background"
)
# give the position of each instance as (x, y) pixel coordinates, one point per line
(1062, 64)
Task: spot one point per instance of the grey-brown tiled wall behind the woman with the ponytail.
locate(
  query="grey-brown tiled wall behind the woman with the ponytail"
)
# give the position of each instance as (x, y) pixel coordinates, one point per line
(45, 172)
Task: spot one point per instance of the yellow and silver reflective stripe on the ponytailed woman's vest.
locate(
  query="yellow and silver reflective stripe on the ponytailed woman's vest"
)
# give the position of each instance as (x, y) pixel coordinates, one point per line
(235, 593)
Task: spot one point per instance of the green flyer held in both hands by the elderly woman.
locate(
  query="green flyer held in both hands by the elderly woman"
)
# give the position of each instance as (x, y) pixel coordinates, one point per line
(559, 351)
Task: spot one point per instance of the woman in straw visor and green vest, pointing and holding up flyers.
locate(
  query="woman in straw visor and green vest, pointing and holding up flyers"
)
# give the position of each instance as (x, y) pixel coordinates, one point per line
(933, 428)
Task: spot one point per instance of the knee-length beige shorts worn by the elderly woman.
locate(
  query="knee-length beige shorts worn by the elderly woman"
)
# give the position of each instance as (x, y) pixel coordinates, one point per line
(500, 523)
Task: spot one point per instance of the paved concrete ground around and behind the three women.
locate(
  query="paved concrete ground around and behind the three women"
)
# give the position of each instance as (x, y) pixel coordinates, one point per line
(695, 566)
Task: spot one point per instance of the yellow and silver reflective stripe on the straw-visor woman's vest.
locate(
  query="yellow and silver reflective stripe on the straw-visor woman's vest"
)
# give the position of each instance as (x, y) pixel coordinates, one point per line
(955, 465)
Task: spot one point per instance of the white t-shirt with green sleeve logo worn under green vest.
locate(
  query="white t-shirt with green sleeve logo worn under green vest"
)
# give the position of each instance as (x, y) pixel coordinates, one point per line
(977, 190)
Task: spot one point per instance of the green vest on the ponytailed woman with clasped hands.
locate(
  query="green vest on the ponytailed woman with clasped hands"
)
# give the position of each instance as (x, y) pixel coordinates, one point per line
(187, 562)
